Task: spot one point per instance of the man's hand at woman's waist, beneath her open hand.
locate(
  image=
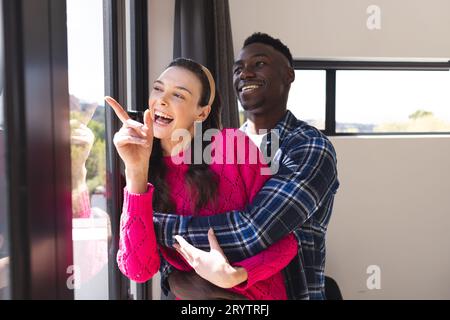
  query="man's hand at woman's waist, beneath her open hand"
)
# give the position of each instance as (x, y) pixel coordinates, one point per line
(190, 286)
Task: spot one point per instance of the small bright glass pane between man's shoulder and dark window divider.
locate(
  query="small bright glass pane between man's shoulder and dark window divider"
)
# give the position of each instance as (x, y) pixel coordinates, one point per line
(307, 97)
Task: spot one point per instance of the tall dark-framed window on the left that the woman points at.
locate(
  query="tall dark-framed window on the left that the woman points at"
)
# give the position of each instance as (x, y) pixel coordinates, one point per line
(64, 154)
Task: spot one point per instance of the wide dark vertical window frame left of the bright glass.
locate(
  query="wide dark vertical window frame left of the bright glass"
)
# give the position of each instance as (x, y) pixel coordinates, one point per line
(39, 208)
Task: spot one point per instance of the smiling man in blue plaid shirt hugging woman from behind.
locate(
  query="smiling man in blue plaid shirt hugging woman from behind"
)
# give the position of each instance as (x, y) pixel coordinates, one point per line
(298, 198)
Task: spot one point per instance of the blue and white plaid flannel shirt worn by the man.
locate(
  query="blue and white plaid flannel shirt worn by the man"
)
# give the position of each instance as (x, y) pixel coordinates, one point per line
(298, 198)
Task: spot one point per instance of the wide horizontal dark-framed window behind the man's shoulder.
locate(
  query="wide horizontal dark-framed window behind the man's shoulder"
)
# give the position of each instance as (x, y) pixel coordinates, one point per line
(345, 98)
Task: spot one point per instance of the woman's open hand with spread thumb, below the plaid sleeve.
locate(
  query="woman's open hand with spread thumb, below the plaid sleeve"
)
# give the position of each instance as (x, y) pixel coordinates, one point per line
(213, 265)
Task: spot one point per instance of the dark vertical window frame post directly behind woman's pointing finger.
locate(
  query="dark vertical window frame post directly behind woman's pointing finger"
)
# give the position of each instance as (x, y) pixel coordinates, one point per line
(115, 86)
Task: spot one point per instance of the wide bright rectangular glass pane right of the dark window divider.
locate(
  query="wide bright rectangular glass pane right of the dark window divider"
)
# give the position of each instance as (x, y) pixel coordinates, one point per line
(392, 101)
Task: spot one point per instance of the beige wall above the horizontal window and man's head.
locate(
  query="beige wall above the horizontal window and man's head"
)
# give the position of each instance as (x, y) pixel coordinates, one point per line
(336, 29)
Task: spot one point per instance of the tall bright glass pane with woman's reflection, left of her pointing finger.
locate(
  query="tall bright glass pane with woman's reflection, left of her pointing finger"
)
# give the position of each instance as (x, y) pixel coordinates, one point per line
(91, 223)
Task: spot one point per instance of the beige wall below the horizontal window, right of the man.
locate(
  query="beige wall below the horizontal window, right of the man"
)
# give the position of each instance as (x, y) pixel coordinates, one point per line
(392, 210)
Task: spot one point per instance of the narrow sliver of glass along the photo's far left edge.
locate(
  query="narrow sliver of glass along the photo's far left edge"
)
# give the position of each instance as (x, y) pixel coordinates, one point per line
(4, 248)
